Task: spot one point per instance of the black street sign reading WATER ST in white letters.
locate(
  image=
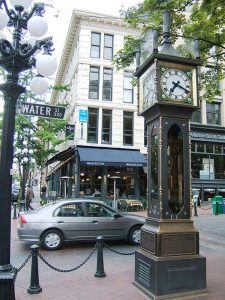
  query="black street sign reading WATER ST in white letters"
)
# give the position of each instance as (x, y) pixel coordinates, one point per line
(40, 110)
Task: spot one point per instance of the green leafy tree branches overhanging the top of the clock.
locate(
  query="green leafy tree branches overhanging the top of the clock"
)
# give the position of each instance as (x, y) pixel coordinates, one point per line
(202, 20)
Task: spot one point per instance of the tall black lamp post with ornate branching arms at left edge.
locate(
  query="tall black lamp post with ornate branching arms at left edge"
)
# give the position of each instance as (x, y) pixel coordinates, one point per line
(15, 57)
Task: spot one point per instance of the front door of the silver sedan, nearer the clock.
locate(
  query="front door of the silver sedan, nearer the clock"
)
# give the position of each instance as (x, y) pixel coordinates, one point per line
(102, 222)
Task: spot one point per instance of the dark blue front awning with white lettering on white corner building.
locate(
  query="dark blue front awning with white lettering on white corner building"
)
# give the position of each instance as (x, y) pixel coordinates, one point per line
(111, 157)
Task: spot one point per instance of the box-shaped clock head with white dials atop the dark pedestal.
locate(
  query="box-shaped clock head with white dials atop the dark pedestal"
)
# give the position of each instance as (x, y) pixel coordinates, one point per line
(167, 82)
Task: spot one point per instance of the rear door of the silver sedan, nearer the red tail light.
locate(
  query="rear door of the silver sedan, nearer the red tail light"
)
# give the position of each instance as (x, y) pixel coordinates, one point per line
(70, 219)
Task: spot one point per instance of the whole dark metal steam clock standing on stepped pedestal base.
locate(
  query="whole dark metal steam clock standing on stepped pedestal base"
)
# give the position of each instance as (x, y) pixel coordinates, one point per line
(168, 263)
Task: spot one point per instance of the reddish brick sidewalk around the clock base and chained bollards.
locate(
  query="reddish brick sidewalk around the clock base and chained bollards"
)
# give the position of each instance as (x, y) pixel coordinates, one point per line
(118, 283)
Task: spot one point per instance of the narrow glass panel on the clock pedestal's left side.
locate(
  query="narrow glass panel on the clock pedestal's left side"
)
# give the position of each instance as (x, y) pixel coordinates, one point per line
(154, 171)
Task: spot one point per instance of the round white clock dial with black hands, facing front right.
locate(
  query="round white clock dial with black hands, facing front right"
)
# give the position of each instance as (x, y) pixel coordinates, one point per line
(176, 84)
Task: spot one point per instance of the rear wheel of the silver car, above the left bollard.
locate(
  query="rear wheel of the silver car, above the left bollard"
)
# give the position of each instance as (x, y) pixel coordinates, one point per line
(52, 239)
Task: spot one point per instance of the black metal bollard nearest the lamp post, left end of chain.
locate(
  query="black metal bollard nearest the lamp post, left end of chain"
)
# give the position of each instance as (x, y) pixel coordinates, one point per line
(34, 287)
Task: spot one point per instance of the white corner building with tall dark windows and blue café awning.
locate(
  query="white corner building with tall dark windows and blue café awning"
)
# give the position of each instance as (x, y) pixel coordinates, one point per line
(109, 135)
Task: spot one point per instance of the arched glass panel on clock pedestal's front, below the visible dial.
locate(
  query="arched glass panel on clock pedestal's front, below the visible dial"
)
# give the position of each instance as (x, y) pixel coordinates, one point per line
(175, 169)
